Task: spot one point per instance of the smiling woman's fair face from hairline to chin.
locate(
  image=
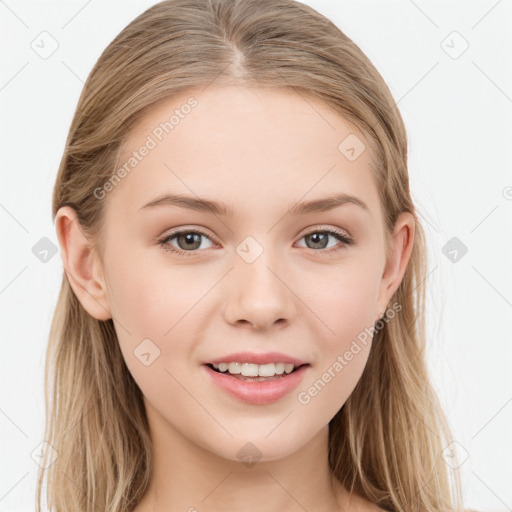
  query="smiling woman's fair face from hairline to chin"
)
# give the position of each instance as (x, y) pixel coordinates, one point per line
(266, 275)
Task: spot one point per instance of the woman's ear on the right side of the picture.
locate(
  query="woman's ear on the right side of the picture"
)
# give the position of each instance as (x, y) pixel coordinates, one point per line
(401, 248)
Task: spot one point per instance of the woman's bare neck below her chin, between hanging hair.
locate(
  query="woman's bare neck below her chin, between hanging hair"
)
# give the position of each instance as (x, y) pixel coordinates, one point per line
(188, 477)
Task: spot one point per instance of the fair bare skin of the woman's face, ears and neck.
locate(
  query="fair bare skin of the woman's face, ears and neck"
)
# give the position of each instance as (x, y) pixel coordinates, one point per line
(260, 152)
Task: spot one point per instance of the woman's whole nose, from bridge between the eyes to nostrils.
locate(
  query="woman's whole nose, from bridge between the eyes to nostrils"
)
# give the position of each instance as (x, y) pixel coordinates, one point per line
(259, 294)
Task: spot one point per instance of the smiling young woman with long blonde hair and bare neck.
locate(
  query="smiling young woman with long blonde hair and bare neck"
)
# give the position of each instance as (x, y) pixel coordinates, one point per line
(240, 324)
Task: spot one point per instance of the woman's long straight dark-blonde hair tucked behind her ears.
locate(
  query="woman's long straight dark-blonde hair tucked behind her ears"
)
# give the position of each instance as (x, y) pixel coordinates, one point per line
(386, 443)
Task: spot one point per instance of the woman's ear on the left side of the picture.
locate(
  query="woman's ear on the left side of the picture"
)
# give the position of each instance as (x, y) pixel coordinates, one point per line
(82, 265)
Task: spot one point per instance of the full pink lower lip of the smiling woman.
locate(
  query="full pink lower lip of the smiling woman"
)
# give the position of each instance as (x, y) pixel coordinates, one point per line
(257, 393)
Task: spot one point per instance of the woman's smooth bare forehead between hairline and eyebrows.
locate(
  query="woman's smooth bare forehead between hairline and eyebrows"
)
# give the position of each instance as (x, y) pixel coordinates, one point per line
(244, 146)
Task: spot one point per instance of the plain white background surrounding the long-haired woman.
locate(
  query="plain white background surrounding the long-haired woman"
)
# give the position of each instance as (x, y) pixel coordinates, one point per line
(457, 112)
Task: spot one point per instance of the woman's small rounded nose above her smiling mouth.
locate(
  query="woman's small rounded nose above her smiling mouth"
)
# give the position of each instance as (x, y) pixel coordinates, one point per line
(259, 294)
